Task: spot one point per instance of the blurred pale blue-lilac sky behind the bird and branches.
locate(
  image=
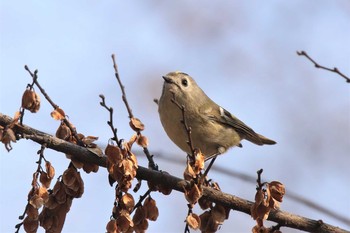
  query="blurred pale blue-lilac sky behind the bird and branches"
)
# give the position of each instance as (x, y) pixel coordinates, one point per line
(242, 54)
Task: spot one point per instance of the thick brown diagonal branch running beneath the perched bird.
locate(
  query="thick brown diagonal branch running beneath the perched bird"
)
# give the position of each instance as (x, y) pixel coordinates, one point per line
(284, 219)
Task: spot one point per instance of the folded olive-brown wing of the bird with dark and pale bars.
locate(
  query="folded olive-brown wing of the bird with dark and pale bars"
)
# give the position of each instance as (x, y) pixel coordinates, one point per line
(224, 117)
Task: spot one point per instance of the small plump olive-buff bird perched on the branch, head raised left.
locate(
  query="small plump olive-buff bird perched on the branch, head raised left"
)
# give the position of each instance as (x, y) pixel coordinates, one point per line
(213, 129)
